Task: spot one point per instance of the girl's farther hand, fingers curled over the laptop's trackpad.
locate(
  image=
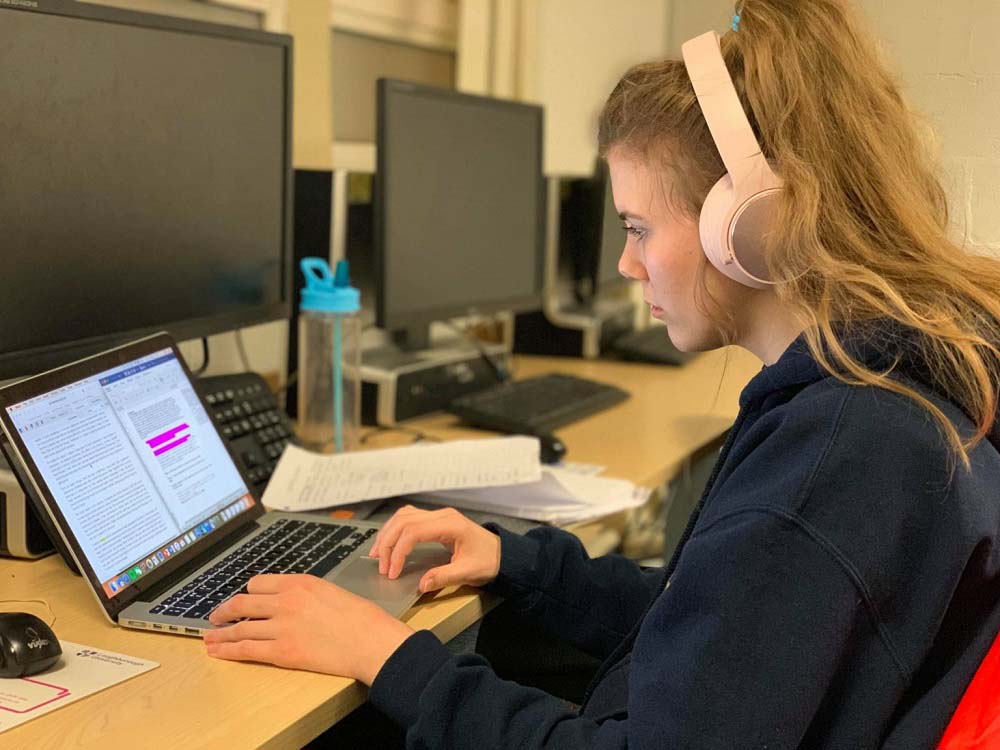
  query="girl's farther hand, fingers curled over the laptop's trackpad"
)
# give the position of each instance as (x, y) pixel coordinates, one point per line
(475, 551)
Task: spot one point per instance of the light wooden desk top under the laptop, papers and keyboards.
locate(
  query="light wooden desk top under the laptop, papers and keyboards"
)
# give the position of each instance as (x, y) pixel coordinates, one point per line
(193, 701)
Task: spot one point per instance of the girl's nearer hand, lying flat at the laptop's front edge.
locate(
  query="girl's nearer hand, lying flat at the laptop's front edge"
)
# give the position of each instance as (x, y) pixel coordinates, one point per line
(304, 622)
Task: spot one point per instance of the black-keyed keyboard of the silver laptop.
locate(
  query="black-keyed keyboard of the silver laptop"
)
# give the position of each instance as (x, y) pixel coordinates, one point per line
(286, 546)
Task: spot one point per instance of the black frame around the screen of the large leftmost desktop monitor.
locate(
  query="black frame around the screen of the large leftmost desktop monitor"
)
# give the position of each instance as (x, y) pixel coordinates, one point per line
(31, 360)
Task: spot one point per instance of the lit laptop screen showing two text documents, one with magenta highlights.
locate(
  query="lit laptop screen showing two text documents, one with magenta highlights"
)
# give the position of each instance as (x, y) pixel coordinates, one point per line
(134, 463)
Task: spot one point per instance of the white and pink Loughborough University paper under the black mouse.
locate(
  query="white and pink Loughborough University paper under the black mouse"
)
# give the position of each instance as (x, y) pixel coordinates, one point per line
(81, 671)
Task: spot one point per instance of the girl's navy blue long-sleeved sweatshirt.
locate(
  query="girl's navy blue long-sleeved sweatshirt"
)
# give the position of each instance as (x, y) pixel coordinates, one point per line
(837, 587)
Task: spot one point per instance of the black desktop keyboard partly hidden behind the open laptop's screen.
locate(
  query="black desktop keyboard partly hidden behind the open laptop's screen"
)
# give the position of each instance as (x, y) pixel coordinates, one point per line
(246, 414)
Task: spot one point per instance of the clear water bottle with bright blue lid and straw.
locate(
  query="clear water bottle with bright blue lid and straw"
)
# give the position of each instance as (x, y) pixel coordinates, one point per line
(329, 358)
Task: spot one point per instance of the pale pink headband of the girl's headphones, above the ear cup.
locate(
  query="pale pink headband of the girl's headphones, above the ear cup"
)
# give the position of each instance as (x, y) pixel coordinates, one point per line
(731, 131)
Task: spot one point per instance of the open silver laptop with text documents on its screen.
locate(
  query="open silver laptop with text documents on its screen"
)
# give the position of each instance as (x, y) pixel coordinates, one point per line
(143, 496)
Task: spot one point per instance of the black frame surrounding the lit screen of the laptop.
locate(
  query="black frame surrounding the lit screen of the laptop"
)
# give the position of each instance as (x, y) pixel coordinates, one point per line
(72, 373)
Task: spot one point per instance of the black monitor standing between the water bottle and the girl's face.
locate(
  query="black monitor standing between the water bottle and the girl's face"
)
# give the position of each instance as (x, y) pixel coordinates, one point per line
(459, 207)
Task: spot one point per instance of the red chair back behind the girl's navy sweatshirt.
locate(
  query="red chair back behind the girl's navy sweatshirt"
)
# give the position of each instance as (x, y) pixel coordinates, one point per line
(976, 723)
